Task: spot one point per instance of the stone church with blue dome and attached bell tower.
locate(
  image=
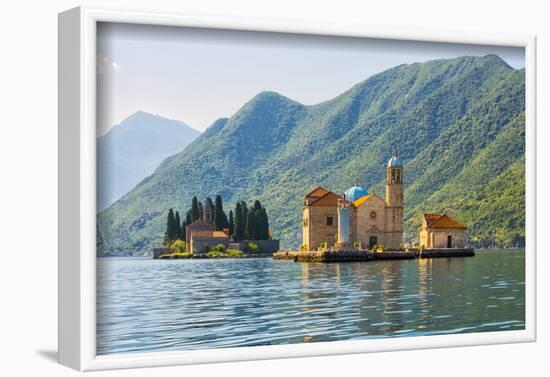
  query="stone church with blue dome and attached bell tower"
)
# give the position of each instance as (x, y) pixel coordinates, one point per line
(357, 217)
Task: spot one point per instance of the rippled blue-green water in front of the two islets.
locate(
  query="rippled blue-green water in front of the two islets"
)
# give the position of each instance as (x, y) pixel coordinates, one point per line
(148, 305)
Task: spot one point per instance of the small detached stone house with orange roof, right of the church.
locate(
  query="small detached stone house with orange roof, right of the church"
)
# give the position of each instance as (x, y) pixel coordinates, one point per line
(441, 231)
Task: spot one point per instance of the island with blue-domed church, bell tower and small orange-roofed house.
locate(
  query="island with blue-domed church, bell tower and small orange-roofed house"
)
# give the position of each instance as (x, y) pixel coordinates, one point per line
(361, 226)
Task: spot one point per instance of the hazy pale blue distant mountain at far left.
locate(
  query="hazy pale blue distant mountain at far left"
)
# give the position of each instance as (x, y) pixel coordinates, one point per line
(131, 151)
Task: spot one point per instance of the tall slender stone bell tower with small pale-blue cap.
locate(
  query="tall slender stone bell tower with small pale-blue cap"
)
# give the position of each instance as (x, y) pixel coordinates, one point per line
(394, 202)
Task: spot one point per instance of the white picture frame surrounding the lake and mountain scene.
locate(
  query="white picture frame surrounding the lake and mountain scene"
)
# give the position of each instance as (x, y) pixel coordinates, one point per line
(77, 189)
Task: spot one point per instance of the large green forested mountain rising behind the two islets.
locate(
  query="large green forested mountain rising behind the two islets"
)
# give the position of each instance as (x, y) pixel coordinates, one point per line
(459, 126)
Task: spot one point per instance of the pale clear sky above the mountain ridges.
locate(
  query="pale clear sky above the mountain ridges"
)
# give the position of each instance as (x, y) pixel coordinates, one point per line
(200, 75)
